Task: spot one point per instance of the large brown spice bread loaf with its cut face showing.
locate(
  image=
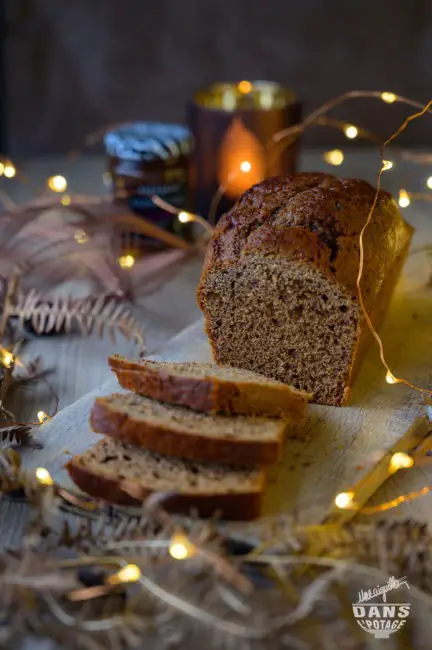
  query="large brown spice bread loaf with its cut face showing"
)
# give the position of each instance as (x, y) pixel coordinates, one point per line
(278, 288)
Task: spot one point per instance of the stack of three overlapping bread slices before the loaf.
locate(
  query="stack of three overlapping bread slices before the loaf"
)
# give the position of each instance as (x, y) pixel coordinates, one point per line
(200, 434)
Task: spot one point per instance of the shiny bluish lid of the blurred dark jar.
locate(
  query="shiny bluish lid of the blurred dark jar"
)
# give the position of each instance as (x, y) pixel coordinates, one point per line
(148, 141)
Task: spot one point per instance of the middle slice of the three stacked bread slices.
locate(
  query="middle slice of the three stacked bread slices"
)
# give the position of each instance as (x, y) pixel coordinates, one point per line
(178, 431)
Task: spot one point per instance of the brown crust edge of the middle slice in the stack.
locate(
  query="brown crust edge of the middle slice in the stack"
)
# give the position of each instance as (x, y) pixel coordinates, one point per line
(106, 420)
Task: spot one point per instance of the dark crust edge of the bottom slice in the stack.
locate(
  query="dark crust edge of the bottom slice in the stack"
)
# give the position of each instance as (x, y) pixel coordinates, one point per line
(240, 507)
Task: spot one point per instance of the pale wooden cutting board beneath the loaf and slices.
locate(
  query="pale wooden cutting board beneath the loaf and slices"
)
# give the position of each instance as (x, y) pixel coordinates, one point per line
(335, 449)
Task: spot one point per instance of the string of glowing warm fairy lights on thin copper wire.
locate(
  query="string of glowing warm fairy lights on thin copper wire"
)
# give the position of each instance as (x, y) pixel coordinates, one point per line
(180, 547)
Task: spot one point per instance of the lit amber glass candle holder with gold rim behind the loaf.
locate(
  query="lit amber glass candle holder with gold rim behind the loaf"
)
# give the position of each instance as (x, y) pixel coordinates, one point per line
(233, 125)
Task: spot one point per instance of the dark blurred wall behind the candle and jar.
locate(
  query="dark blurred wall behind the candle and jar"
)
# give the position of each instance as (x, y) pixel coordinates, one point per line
(74, 65)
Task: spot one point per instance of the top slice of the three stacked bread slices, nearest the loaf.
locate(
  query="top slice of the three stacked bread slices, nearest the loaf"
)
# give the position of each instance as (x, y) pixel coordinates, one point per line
(211, 388)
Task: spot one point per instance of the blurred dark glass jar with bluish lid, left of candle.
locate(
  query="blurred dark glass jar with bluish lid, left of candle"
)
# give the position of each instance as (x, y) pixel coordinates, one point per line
(147, 159)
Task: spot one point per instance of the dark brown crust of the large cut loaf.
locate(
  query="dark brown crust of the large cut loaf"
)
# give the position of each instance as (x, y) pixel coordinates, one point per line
(315, 219)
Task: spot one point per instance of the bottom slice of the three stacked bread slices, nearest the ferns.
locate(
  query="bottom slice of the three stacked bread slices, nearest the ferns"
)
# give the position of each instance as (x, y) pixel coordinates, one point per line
(124, 474)
